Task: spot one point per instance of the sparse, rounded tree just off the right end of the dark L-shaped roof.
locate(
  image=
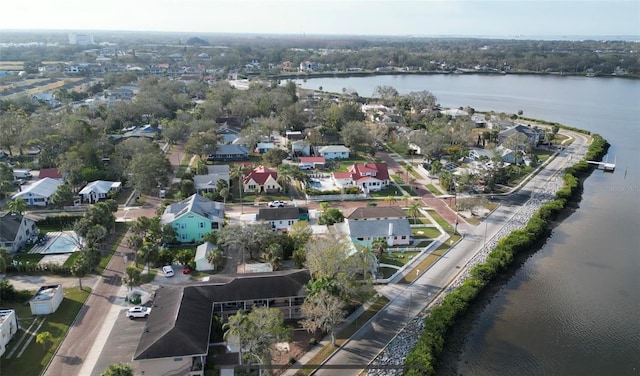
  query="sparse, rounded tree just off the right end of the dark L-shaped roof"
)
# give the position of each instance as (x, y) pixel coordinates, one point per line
(323, 311)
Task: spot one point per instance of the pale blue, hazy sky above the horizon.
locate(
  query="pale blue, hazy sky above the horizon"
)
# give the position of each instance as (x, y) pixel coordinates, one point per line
(360, 17)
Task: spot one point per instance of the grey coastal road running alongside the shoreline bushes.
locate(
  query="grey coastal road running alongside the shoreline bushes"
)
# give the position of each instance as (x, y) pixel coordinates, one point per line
(360, 350)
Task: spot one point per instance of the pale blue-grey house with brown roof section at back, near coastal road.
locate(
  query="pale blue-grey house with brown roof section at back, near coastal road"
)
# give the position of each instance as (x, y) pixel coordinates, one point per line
(367, 224)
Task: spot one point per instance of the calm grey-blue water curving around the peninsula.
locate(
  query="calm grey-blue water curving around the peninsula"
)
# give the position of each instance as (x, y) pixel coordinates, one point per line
(573, 308)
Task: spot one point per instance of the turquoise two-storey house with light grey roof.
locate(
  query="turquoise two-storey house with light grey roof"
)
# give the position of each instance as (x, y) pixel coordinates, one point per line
(194, 217)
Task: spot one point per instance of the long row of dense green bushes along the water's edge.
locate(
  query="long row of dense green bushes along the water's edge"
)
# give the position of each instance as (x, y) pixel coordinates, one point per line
(423, 358)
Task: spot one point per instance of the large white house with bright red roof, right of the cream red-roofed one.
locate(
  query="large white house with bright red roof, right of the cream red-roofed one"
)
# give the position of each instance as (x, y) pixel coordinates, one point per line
(366, 176)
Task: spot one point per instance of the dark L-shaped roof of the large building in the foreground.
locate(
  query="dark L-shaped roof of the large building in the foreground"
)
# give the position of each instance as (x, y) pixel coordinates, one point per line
(177, 323)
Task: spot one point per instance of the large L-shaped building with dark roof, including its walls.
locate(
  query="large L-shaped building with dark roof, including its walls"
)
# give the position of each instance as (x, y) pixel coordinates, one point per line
(178, 331)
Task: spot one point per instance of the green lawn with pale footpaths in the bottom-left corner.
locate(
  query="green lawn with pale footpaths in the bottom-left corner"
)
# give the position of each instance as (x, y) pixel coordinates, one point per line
(36, 356)
